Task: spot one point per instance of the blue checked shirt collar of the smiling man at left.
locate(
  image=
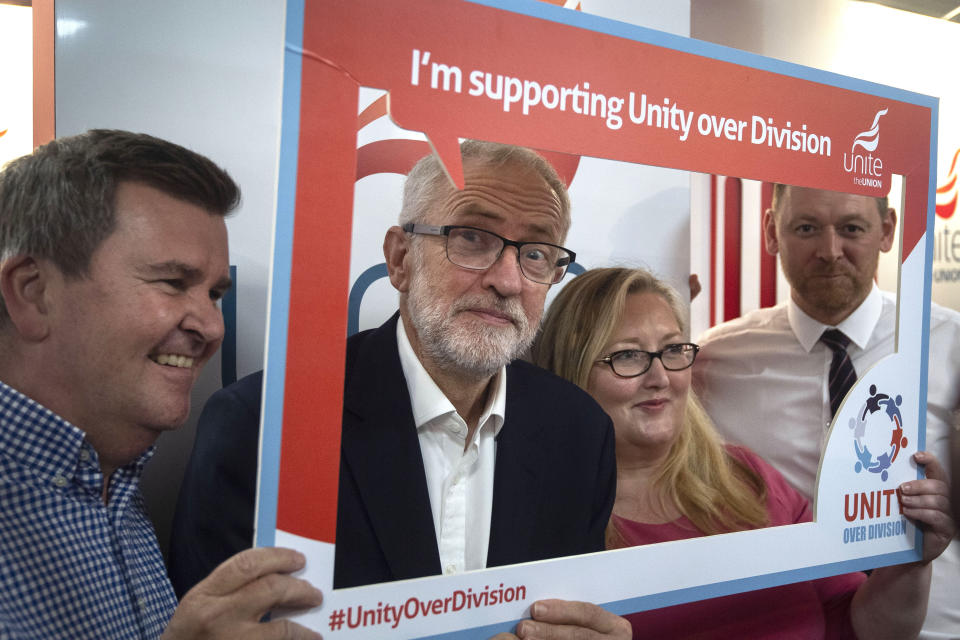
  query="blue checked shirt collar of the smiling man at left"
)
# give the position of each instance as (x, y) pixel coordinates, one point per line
(35, 437)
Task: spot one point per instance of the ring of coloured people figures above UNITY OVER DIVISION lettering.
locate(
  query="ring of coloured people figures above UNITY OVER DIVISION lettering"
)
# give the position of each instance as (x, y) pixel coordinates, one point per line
(878, 433)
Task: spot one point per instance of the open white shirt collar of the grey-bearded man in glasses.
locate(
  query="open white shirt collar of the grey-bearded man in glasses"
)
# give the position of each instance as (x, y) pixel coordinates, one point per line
(429, 402)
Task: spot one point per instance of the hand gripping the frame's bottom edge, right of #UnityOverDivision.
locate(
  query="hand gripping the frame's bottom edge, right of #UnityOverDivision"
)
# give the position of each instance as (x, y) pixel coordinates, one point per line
(569, 620)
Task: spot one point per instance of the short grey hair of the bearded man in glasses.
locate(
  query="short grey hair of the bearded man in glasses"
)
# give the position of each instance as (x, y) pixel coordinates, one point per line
(427, 181)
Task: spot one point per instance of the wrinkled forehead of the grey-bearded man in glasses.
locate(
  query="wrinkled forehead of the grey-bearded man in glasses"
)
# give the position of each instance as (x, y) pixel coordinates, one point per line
(504, 195)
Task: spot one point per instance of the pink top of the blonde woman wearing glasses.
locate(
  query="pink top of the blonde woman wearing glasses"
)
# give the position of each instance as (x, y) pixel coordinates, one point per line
(809, 610)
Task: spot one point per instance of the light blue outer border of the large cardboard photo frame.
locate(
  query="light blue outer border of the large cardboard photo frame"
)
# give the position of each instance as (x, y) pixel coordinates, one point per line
(283, 240)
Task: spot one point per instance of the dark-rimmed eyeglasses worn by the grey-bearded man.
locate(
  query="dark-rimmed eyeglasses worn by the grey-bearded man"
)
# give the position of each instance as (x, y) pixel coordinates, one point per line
(473, 248)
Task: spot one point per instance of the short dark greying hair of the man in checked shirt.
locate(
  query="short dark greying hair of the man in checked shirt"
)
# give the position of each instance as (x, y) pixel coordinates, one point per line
(57, 203)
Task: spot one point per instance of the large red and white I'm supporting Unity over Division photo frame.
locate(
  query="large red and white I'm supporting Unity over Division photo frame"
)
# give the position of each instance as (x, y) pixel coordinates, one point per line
(717, 111)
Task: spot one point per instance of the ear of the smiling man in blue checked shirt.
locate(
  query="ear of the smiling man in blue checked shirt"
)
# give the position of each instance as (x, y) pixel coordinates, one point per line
(23, 286)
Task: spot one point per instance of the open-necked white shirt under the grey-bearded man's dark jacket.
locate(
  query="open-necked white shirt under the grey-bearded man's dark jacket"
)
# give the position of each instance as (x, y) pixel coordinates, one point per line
(459, 474)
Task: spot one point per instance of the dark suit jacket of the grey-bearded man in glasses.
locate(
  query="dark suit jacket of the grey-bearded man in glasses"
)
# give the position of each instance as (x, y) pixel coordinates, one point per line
(554, 479)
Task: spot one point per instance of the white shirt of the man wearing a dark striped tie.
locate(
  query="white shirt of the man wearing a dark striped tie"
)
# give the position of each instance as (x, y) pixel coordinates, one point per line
(763, 380)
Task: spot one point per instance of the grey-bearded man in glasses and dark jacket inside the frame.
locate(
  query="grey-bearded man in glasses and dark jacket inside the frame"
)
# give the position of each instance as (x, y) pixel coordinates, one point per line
(454, 455)
